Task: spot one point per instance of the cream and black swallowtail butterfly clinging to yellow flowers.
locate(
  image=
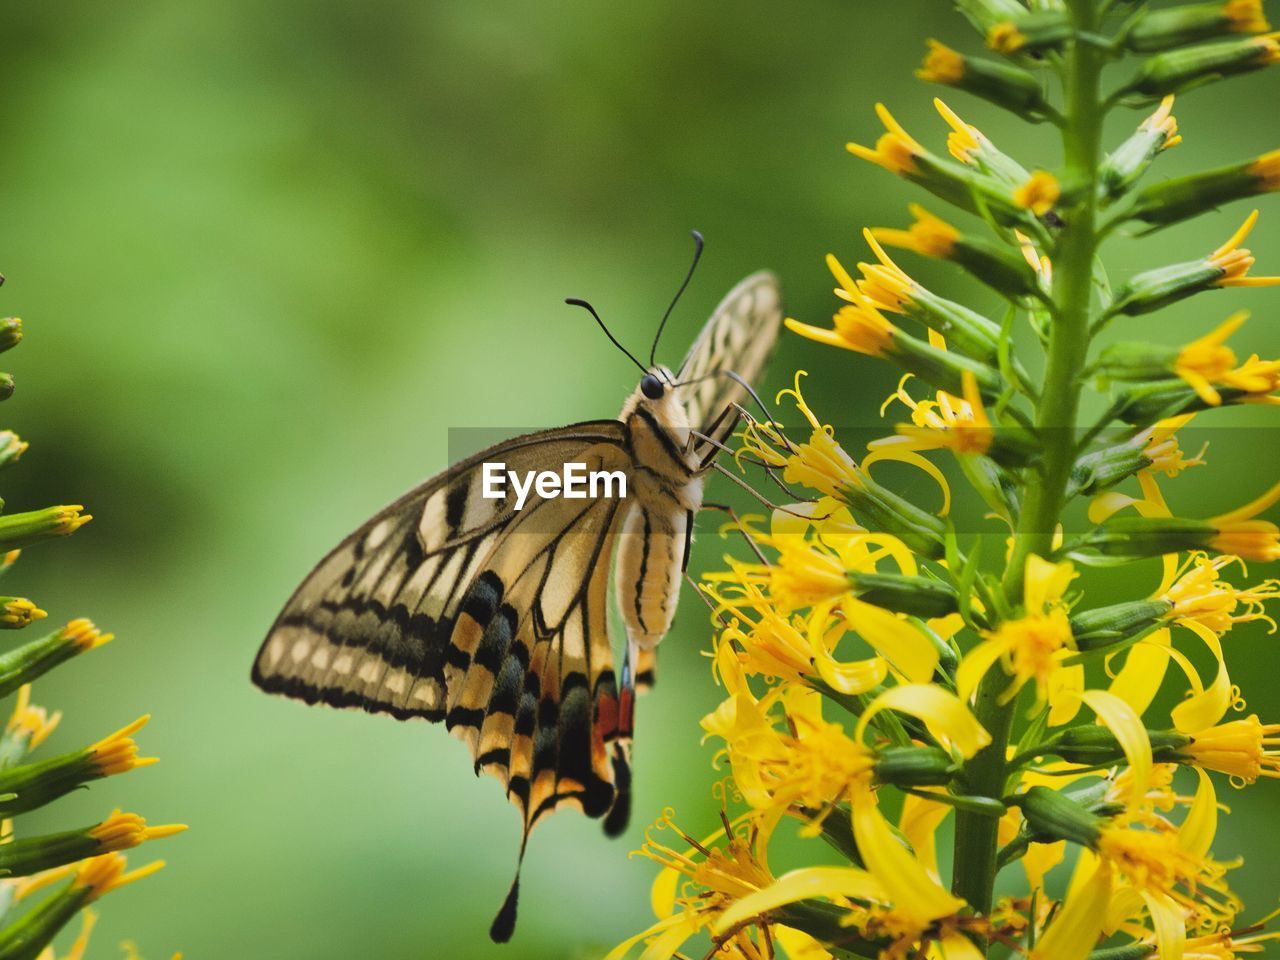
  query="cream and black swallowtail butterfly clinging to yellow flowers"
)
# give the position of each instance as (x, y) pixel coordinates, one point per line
(460, 606)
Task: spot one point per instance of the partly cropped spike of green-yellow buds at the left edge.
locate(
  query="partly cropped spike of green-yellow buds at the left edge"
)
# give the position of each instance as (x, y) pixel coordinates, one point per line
(47, 880)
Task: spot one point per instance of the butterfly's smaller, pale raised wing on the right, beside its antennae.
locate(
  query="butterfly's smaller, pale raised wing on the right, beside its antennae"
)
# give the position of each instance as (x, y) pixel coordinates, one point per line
(739, 339)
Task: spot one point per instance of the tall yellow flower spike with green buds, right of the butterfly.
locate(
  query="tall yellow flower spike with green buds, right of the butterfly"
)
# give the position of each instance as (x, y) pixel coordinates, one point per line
(895, 679)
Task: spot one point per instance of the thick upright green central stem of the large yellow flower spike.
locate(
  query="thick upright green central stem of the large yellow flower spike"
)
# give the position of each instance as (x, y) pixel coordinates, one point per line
(986, 775)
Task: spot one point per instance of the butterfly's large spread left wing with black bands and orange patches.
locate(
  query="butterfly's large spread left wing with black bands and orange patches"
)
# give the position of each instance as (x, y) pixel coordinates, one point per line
(456, 607)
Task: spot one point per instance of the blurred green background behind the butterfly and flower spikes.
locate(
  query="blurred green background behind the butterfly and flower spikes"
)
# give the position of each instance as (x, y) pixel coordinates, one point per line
(268, 255)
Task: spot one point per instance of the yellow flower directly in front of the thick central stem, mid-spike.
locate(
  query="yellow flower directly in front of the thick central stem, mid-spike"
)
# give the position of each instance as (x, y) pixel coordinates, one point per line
(1032, 647)
